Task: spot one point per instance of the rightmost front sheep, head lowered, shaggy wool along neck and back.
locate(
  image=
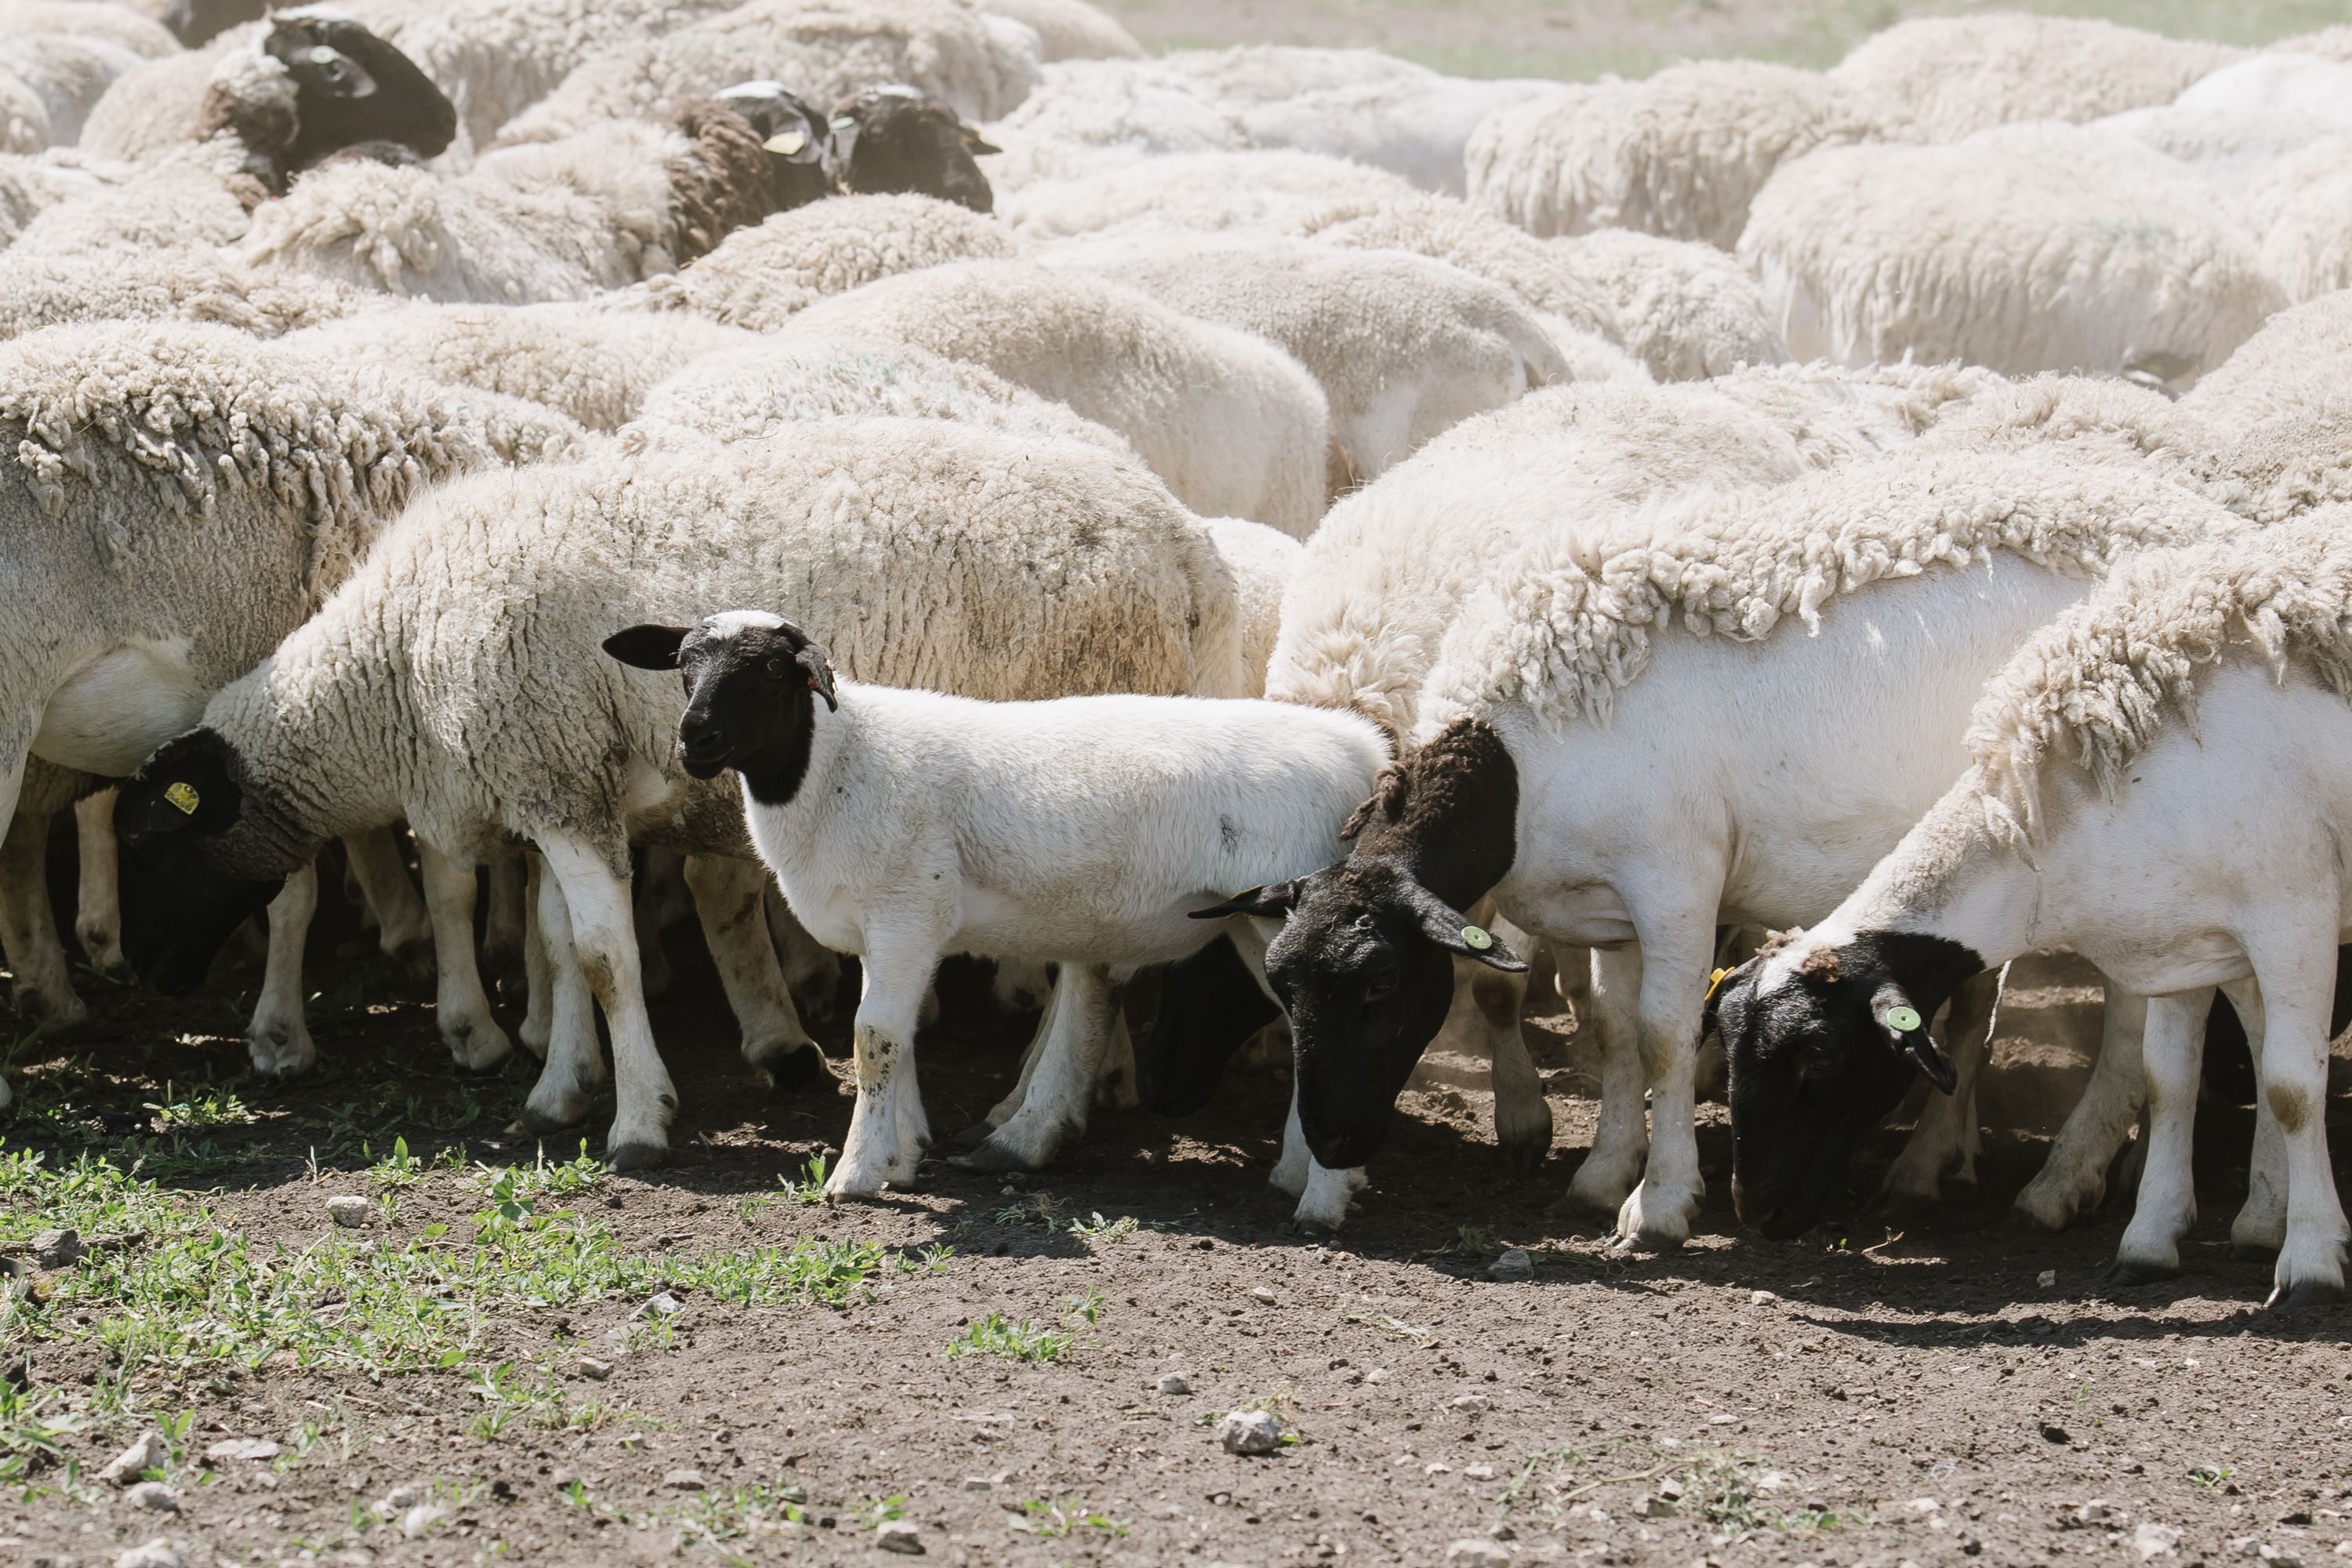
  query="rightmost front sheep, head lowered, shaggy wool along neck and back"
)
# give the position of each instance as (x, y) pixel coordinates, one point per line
(2191, 718)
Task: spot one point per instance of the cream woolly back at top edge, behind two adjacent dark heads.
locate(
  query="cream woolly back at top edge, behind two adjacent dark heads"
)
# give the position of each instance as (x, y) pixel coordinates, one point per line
(973, 62)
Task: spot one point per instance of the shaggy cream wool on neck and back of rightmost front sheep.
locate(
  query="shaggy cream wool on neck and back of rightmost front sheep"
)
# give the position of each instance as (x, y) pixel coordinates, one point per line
(2097, 685)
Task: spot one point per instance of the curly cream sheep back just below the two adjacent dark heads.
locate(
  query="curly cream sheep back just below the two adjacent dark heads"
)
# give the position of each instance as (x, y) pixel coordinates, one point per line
(763, 276)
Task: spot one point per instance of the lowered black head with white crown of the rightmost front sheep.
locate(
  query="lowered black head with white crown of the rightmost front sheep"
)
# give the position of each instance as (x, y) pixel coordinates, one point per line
(1824, 1043)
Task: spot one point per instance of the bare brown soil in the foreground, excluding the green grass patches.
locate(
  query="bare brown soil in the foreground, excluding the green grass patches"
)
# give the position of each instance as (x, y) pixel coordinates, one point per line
(1925, 1383)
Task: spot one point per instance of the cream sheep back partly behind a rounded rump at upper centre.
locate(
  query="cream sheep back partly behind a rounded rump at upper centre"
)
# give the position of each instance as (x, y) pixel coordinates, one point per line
(1403, 347)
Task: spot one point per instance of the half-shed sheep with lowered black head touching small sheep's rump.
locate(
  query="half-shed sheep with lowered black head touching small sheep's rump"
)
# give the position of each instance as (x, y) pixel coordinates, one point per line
(1593, 770)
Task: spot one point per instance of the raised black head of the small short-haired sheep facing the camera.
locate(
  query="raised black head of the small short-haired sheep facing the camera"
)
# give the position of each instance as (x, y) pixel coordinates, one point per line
(751, 695)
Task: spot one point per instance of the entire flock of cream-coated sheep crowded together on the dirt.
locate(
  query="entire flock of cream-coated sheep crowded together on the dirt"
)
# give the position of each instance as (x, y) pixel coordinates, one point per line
(916, 478)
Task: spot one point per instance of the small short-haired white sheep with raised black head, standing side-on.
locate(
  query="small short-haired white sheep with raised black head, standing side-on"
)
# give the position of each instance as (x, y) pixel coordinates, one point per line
(1078, 831)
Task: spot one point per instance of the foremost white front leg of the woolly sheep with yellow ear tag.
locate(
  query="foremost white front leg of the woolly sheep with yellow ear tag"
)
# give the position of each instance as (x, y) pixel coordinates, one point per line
(606, 937)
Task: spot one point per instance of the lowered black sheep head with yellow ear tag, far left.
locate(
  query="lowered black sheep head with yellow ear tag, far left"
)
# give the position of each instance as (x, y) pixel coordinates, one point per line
(201, 855)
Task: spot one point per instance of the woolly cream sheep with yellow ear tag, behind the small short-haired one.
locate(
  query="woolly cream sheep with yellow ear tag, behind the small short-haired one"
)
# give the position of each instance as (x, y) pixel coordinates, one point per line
(975, 561)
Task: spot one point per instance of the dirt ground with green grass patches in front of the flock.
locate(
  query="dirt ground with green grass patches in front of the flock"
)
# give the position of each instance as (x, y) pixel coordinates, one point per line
(483, 1372)
